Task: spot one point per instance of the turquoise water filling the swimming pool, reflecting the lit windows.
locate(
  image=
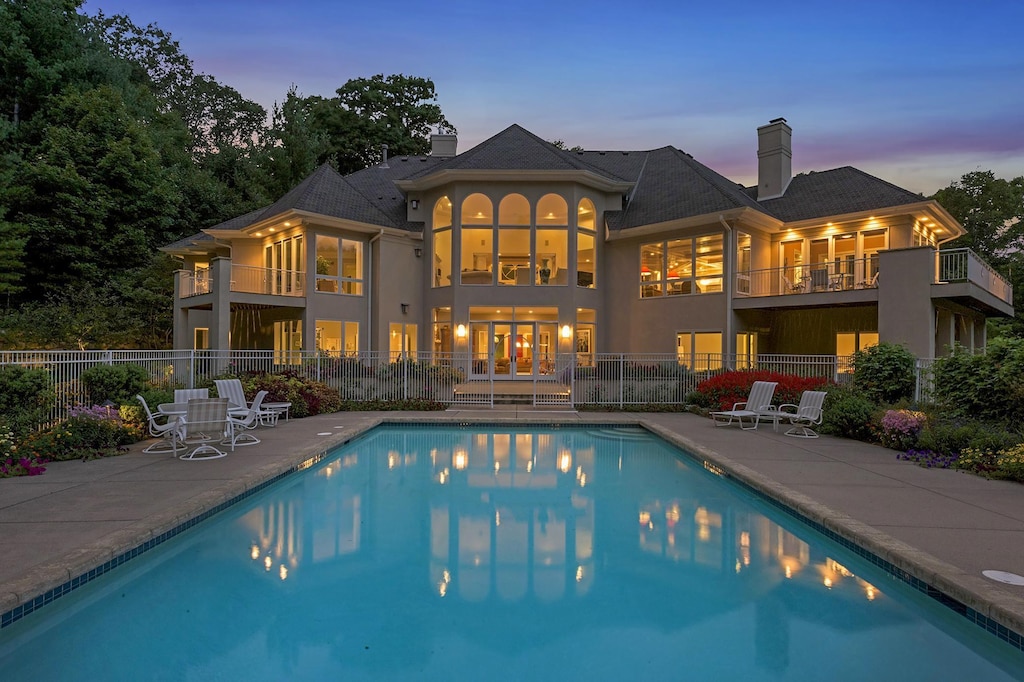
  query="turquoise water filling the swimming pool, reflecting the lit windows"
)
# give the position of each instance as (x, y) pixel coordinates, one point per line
(501, 555)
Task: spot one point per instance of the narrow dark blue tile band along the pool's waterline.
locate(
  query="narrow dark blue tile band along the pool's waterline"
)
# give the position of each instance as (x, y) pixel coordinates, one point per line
(979, 619)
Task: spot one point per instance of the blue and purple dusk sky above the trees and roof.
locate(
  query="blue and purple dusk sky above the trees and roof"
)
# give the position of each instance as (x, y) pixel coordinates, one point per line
(916, 93)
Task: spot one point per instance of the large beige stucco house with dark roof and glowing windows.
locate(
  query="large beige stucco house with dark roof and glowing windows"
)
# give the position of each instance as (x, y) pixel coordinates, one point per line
(517, 253)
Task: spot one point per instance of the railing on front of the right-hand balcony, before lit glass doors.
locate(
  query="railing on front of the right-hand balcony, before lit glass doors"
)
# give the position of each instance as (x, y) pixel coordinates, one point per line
(843, 276)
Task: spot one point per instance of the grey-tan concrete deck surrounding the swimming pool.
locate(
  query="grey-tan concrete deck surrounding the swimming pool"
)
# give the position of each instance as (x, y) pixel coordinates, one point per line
(943, 527)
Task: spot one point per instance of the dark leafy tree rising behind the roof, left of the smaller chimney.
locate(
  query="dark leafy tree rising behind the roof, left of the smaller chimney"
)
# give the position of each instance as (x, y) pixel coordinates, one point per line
(369, 113)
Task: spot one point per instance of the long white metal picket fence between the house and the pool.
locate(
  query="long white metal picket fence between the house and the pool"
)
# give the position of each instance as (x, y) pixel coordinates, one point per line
(602, 379)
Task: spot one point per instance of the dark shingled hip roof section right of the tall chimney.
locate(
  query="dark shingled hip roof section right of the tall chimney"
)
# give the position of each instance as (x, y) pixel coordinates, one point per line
(836, 192)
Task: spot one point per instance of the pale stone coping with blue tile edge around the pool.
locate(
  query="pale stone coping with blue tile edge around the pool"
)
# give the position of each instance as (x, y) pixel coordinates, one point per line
(996, 611)
